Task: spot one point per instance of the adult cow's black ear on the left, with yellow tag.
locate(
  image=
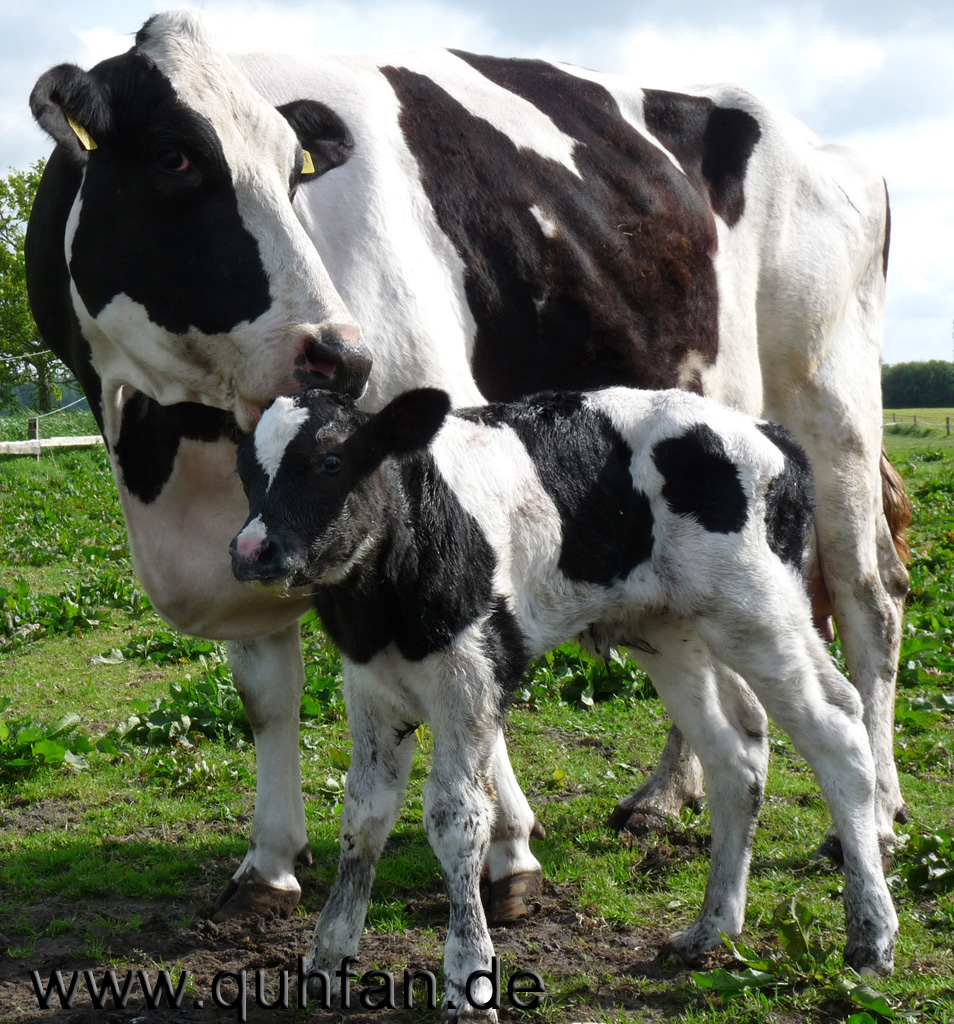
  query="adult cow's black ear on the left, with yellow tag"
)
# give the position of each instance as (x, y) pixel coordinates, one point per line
(71, 107)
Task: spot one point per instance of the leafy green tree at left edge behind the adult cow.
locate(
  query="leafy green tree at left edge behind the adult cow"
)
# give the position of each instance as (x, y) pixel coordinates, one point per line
(24, 359)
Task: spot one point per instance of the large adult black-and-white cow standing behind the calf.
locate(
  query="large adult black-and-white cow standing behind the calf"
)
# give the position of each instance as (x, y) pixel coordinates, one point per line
(493, 228)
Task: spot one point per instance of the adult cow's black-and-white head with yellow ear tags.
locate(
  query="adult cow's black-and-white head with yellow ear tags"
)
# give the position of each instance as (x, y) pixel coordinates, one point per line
(191, 275)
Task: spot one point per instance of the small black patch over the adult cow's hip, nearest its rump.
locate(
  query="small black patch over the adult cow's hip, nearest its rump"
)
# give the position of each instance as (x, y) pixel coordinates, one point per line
(713, 144)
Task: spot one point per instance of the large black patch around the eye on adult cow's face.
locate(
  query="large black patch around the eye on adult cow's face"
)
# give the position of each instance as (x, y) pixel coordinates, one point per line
(172, 241)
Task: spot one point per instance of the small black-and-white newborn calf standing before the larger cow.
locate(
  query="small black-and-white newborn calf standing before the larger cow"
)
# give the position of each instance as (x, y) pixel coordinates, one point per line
(447, 549)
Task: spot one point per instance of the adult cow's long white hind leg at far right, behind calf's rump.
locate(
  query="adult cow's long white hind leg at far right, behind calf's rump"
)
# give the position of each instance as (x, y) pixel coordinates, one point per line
(820, 345)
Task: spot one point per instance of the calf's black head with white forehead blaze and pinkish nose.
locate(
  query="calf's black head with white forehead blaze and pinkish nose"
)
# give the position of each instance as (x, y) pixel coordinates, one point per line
(320, 499)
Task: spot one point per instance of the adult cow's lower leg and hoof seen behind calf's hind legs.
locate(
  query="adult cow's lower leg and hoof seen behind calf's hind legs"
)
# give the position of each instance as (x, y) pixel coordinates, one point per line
(676, 783)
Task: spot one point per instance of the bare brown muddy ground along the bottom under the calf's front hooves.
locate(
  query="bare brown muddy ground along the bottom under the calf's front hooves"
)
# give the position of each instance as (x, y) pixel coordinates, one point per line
(599, 967)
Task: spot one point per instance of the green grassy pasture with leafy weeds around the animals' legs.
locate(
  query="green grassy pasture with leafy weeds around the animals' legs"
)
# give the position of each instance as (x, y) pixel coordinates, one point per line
(127, 770)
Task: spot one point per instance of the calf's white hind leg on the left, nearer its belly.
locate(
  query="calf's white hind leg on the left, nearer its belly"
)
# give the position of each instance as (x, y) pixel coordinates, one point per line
(727, 727)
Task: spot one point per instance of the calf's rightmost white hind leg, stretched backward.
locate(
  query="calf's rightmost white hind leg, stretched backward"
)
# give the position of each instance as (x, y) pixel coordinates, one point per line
(785, 662)
